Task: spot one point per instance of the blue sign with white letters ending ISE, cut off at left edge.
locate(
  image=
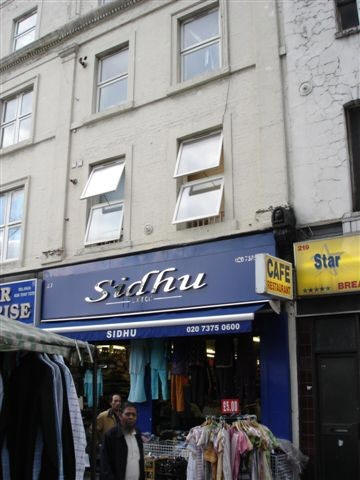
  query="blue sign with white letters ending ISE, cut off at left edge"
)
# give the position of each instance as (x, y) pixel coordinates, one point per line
(20, 300)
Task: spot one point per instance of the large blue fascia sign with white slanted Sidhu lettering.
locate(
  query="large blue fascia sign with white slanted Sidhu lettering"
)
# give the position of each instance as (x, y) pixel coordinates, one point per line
(220, 273)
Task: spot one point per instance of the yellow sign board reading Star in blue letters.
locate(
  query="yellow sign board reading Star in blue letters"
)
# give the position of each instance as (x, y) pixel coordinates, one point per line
(328, 266)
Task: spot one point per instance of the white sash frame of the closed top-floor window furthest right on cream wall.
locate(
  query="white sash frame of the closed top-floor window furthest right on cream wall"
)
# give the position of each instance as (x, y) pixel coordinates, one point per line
(200, 45)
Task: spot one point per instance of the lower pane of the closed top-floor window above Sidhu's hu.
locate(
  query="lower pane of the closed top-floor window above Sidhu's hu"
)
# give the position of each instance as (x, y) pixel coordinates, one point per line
(201, 61)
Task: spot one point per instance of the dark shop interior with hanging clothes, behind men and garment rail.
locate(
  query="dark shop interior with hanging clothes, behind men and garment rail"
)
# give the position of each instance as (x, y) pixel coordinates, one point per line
(188, 377)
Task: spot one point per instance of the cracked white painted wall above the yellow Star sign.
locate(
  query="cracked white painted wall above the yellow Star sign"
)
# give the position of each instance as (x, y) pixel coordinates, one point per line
(330, 68)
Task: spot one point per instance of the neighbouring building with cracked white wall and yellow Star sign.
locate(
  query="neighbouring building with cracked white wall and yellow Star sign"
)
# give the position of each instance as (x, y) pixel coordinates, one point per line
(322, 83)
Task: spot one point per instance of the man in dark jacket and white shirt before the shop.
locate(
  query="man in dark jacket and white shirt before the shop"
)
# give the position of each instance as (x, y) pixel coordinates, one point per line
(122, 453)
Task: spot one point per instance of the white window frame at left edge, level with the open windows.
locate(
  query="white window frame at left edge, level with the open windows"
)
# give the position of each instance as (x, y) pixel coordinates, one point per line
(7, 225)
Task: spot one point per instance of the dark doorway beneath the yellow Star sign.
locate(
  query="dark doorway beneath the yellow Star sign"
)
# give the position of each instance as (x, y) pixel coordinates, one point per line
(338, 388)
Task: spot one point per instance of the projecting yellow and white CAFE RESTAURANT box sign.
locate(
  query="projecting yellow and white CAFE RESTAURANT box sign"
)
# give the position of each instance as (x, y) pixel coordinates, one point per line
(273, 276)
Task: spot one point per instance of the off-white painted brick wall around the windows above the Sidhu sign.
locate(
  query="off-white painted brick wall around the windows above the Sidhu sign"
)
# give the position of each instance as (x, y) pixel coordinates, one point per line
(245, 99)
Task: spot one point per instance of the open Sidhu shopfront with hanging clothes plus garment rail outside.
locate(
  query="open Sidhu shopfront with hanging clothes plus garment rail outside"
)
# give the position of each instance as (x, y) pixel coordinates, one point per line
(185, 379)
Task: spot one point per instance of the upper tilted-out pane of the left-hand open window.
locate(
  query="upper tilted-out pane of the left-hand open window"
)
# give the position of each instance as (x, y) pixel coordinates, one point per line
(103, 180)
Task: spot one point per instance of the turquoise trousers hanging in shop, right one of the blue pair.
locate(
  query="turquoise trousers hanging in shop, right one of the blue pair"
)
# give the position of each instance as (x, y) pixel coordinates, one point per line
(158, 364)
